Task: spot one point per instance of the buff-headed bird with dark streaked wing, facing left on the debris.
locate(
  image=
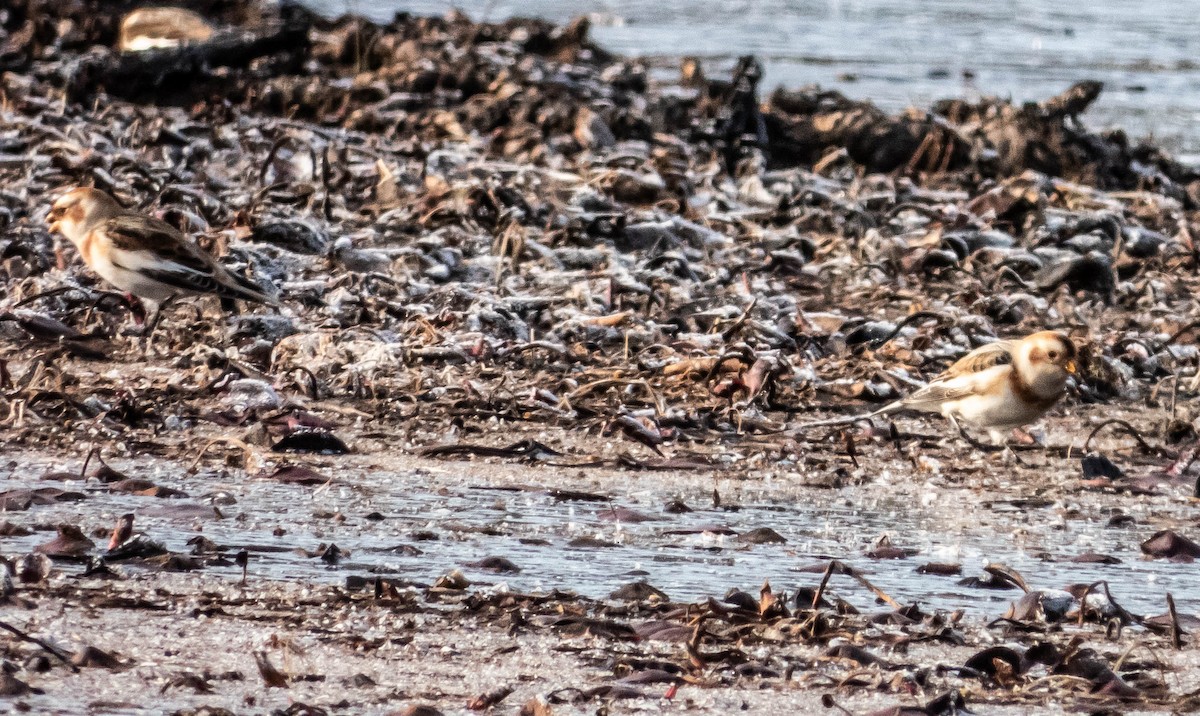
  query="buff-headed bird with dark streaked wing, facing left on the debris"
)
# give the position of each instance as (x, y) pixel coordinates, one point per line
(141, 255)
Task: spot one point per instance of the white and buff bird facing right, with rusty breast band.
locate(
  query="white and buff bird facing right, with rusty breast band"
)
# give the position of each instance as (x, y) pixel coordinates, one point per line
(999, 387)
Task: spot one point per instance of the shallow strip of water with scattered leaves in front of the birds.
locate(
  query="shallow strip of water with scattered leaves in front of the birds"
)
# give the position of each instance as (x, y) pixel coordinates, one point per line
(455, 501)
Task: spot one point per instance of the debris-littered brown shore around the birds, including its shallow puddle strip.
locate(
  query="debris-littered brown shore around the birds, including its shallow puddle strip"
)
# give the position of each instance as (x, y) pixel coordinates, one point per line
(523, 435)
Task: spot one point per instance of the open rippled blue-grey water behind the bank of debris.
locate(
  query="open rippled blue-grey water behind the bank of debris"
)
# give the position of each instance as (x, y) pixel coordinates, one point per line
(909, 52)
